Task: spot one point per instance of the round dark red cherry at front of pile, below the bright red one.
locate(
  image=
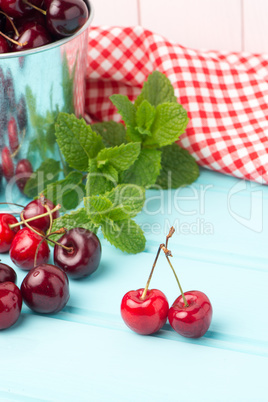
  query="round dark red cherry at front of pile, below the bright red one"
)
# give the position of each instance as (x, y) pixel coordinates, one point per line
(45, 289)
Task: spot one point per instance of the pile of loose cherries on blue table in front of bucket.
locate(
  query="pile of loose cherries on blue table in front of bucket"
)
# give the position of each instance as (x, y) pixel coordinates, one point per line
(45, 288)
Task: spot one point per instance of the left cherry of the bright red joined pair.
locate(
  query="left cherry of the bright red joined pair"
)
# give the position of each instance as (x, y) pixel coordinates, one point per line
(144, 316)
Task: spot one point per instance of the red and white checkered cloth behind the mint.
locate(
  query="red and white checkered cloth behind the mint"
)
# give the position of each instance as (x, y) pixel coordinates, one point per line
(225, 94)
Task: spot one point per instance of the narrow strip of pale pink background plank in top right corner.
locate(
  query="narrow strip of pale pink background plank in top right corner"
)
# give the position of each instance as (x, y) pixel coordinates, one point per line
(255, 26)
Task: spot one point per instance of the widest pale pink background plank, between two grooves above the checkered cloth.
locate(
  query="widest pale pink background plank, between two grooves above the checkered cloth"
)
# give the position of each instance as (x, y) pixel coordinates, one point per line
(211, 24)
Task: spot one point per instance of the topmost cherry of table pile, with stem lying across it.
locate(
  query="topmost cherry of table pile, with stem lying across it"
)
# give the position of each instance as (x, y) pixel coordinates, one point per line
(37, 207)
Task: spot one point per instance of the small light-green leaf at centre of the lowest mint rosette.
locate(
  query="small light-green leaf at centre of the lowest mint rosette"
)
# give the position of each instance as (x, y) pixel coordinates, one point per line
(97, 207)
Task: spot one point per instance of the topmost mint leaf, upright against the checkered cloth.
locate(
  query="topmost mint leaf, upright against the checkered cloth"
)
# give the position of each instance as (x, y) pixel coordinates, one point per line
(156, 90)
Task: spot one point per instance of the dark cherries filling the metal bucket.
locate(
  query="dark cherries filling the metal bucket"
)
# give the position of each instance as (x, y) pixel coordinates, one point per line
(27, 24)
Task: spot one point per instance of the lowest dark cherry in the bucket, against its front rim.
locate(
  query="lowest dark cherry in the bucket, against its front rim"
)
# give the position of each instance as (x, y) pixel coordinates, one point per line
(32, 35)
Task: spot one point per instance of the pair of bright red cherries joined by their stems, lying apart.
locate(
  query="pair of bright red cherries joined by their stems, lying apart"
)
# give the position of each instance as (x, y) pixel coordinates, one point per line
(146, 311)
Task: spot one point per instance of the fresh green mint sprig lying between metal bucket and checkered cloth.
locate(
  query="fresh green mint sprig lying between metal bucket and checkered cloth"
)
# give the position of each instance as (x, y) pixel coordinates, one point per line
(110, 164)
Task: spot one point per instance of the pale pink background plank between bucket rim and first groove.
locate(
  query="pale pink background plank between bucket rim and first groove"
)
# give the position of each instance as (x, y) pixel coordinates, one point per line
(116, 12)
